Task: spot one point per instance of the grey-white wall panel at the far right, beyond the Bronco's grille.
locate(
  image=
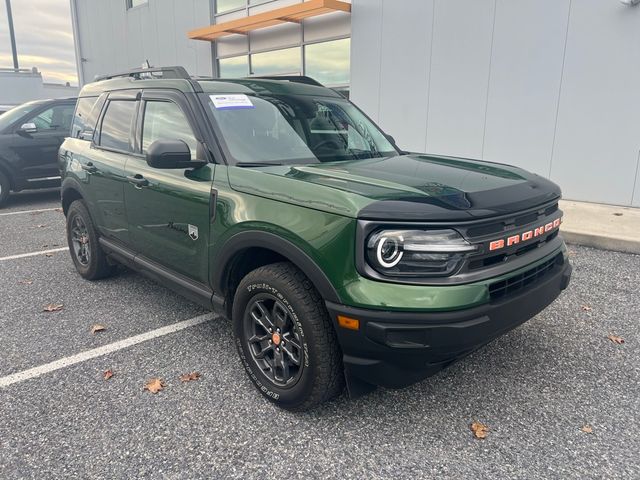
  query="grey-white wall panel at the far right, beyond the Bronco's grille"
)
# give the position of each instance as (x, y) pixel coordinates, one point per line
(598, 132)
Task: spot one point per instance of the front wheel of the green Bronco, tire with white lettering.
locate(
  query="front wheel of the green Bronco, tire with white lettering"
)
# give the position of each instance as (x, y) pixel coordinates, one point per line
(292, 304)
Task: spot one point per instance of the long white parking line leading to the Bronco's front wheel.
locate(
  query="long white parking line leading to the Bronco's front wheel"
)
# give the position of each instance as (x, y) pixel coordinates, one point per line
(101, 351)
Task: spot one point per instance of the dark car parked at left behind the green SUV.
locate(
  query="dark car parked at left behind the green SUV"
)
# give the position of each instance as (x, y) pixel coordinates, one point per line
(30, 136)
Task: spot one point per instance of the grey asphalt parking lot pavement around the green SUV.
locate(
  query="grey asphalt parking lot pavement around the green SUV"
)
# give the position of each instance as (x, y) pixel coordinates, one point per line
(540, 389)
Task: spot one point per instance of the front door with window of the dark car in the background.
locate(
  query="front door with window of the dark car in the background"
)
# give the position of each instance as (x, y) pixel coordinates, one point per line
(37, 150)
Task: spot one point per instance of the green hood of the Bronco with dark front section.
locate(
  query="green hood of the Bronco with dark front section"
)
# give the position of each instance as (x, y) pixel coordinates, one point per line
(408, 187)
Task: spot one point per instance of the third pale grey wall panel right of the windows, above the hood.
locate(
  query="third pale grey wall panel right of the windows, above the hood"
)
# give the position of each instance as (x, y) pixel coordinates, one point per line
(459, 76)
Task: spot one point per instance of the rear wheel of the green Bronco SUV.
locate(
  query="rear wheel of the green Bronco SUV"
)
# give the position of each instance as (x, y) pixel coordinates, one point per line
(86, 253)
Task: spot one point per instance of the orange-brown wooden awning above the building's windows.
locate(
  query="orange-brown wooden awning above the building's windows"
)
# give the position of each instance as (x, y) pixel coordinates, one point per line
(294, 13)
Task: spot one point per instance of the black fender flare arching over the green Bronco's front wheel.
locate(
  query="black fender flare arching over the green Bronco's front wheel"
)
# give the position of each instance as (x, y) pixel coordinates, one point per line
(259, 239)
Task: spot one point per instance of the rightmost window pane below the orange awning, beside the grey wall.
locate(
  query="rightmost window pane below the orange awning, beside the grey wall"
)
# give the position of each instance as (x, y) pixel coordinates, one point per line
(328, 62)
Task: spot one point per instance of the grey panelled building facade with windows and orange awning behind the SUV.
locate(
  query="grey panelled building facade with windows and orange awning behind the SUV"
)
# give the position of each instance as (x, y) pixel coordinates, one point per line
(549, 85)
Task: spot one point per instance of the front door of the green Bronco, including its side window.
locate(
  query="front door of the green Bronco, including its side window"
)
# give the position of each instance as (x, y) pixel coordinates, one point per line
(168, 209)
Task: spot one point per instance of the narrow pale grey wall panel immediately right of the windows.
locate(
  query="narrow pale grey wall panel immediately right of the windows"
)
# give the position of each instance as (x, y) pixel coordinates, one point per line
(366, 21)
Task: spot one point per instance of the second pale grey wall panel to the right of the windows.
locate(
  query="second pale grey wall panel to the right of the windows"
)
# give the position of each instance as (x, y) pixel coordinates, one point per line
(404, 77)
